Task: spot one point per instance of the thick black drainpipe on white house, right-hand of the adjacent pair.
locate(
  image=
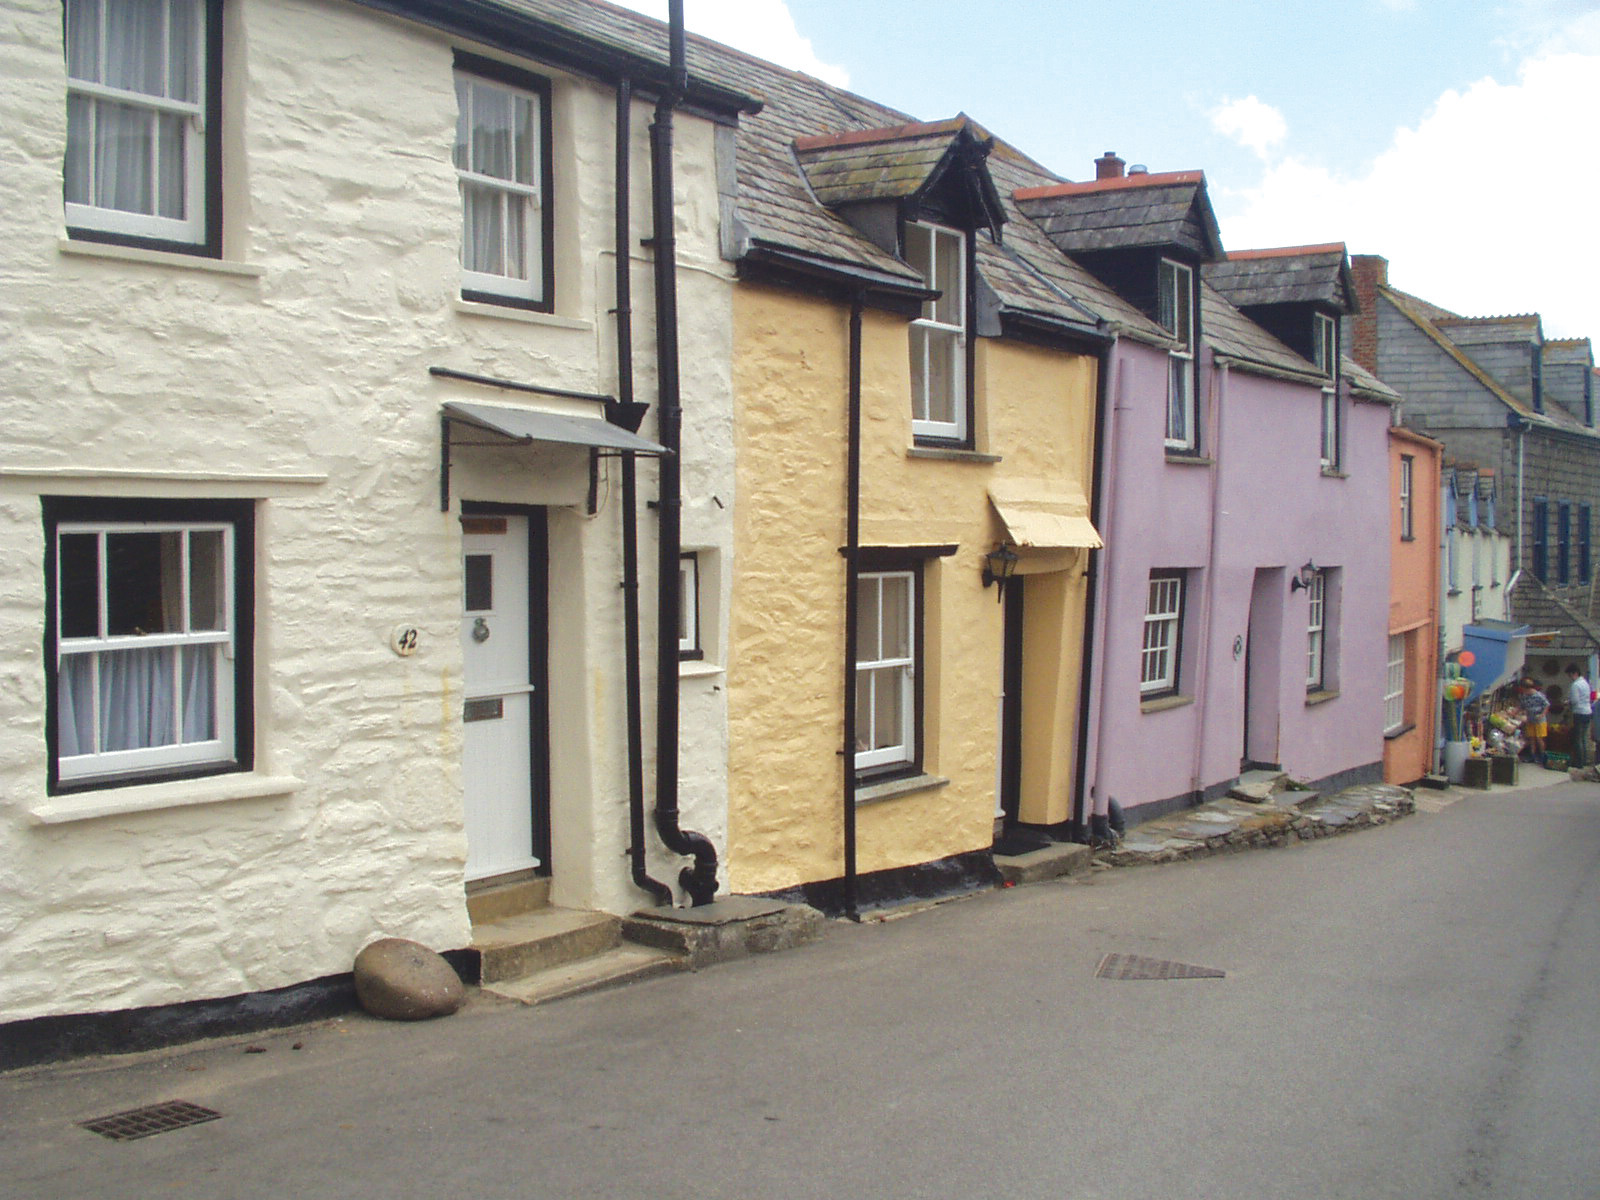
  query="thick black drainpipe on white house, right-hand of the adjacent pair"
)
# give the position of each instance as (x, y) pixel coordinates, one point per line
(702, 879)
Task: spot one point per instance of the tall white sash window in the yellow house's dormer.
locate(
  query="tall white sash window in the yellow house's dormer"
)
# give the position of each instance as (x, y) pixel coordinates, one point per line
(938, 338)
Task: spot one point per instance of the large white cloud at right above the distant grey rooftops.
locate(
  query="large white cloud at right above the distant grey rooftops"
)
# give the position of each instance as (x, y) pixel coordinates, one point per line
(1484, 207)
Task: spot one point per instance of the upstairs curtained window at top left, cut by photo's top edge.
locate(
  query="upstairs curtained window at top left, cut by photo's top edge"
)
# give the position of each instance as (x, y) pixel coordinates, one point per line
(142, 78)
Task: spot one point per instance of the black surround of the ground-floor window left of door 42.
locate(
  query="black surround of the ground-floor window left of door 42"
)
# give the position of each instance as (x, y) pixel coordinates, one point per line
(242, 516)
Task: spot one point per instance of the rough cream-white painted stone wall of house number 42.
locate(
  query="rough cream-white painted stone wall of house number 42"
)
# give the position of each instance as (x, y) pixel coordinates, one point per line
(302, 382)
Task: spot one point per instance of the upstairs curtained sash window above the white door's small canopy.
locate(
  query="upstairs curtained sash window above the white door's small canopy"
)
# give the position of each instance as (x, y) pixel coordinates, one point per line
(503, 166)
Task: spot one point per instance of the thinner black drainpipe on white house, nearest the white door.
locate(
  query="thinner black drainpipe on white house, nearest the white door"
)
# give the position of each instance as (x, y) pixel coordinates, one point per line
(625, 393)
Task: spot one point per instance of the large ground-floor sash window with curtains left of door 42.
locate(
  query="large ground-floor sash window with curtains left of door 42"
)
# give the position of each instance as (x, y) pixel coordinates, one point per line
(148, 639)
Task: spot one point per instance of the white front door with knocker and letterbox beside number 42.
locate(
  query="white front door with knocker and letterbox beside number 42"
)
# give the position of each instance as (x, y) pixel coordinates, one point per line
(498, 703)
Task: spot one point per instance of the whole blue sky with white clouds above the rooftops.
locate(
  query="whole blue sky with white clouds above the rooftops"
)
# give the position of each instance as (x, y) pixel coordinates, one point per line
(1457, 138)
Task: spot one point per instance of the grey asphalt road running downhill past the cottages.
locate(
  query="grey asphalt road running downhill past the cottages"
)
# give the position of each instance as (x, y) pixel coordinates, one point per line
(1407, 1012)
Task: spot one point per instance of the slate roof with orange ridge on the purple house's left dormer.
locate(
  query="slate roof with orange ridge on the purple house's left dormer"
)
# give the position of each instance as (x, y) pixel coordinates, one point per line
(1129, 212)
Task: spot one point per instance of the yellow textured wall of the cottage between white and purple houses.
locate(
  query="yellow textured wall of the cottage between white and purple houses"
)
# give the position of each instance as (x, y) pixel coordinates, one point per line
(1034, 409)
